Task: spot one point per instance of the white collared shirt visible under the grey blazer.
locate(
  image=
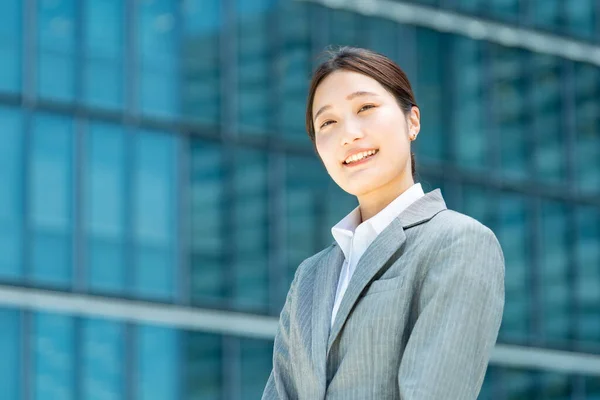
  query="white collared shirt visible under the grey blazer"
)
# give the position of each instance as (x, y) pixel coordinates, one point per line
(354, 237)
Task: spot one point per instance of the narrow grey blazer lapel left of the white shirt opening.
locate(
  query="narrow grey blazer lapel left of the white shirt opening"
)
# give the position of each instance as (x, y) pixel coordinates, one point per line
(326, 278)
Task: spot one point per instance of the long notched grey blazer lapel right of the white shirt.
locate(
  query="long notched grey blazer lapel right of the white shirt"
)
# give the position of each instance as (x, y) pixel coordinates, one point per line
(379, 253)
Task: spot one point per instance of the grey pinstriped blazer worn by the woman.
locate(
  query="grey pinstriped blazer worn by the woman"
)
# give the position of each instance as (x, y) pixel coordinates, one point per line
(418, 321)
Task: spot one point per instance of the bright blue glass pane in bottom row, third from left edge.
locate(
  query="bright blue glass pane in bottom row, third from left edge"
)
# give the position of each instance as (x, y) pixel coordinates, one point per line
(103, 365)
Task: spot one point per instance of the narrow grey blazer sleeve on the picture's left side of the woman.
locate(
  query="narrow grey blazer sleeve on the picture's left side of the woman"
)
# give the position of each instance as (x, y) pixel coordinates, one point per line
(280, 384)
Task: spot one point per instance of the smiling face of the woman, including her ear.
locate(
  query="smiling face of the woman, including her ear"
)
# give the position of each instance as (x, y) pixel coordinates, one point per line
(354, 114)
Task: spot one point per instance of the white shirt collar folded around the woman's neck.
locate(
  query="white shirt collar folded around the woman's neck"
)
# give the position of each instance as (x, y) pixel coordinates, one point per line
(344, 230)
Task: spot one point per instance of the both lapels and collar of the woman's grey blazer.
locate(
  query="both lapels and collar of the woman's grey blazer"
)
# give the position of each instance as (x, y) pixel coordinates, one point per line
(378, 254)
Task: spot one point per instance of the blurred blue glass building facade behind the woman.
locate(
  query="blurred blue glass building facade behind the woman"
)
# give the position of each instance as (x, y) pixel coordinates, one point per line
(154, 152)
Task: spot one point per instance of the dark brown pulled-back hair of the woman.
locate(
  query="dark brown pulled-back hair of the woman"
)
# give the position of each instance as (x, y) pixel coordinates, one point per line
(369, 63)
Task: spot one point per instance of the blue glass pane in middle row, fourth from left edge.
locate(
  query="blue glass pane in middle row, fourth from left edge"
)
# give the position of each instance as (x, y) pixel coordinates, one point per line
(155, 211)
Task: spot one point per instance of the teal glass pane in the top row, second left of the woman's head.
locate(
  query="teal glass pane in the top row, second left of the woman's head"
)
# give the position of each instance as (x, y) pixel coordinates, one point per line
(254, 76)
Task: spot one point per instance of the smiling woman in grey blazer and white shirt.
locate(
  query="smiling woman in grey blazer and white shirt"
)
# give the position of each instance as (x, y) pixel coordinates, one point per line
(406, 303)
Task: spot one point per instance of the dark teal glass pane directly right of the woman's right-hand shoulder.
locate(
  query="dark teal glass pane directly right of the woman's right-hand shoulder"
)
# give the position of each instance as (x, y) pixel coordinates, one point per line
(512, 230)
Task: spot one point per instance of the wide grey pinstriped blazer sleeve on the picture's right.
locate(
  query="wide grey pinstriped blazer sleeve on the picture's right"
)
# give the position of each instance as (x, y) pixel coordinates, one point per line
(461, 302)
